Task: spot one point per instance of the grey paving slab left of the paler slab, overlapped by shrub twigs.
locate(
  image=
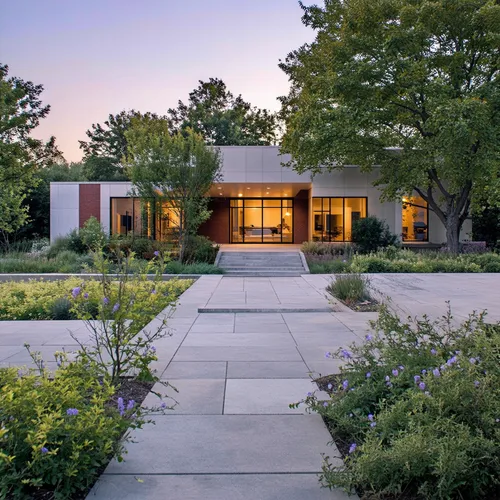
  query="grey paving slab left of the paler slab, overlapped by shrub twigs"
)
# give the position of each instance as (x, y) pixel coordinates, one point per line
(195, 396)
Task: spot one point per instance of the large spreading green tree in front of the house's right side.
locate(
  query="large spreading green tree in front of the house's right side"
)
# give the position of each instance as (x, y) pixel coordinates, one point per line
(410, 85)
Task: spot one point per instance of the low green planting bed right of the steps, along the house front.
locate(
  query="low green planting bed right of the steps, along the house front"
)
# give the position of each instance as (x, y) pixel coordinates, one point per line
(331, 258)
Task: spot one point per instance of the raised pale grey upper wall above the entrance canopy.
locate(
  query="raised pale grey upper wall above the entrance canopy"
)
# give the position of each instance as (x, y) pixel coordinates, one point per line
(257, 164)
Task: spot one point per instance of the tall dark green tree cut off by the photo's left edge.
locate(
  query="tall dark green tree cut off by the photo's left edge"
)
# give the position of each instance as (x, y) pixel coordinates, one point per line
(20, 155)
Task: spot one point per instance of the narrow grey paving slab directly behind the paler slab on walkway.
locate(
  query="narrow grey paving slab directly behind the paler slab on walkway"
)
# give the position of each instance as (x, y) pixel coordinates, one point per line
(267, 369)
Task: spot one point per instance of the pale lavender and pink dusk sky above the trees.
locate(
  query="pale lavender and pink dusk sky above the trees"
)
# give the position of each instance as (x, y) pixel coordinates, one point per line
(96, 57)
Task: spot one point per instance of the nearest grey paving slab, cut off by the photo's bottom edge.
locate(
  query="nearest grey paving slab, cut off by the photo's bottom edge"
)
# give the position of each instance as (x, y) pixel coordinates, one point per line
(215, 487)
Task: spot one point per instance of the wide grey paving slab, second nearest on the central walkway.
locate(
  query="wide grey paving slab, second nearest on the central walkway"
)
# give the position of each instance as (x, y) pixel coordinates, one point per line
(201, 444)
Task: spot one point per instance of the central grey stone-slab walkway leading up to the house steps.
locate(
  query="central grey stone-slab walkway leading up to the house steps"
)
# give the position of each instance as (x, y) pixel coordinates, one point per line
(232, 434)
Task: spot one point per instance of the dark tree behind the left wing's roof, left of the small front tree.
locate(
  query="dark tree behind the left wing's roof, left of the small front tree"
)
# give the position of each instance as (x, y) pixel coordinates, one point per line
(107, 146)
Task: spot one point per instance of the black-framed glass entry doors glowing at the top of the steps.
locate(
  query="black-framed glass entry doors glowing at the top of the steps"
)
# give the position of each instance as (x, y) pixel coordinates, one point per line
(258, 220)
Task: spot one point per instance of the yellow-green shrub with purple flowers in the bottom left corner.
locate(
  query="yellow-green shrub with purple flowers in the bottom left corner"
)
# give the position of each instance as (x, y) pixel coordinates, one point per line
(44, 447)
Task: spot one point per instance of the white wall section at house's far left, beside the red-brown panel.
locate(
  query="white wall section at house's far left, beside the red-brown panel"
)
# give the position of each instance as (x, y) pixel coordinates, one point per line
(64, 208)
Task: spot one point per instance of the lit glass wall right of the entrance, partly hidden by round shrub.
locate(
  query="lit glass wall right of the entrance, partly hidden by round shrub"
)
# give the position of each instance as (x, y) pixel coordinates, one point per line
(333, 217)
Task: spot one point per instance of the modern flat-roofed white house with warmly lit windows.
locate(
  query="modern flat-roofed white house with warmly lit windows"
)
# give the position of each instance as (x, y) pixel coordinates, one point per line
(258, 201)
